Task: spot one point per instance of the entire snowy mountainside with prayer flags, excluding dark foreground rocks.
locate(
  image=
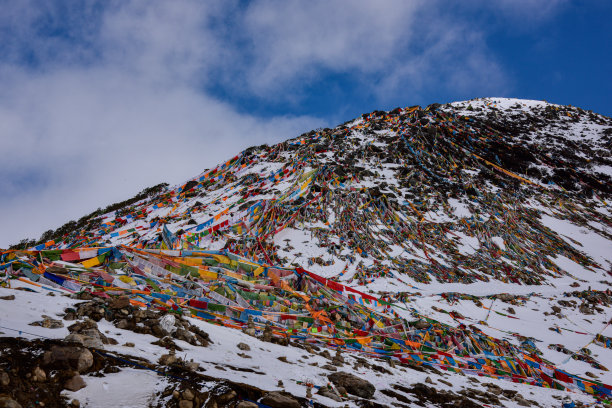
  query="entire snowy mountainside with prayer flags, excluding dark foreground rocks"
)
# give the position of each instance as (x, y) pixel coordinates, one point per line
(485, 221)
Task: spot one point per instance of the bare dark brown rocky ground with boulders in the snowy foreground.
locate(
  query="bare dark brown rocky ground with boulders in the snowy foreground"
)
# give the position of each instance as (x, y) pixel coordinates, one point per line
(35, 372)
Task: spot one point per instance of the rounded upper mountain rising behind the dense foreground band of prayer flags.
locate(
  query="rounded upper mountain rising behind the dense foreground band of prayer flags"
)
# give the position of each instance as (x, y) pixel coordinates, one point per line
(461, 192)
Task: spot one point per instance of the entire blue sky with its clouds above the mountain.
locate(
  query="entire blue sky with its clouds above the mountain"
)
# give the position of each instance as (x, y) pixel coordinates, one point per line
(101, 99)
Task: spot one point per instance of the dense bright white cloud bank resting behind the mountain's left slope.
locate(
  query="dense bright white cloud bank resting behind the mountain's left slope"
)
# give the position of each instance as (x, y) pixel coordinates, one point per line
(86, 138)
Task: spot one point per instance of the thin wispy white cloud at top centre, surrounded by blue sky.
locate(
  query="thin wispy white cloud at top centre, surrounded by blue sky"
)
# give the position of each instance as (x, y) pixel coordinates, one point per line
(294, 39)
